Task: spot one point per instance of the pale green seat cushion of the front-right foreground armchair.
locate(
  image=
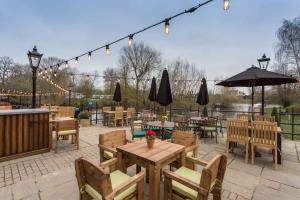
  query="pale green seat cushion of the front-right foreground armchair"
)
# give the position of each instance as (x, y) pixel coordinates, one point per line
(192, 175)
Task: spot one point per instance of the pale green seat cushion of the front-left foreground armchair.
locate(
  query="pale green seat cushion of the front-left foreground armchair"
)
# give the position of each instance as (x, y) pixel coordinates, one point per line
(117, 178)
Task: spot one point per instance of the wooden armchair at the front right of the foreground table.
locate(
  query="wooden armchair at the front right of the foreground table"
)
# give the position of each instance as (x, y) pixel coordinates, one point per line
(185, 183)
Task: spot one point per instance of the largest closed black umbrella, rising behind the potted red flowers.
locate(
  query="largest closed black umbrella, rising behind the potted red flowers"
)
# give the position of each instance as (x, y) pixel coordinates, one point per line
(164, 95)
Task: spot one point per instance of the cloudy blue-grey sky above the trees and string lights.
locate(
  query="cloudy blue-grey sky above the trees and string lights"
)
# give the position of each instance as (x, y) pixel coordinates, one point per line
(221, 43)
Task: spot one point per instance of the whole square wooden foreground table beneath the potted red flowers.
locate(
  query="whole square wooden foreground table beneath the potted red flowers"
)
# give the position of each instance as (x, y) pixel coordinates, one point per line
(162, 154)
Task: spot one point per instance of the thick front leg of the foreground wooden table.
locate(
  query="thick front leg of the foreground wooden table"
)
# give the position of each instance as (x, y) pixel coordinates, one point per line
(154, 185)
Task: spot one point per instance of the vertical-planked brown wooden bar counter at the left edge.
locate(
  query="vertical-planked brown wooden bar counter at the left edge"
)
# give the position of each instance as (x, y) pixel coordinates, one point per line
(24, 132)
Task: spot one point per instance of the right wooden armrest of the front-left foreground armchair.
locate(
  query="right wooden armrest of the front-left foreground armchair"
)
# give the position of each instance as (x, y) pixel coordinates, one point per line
(127, 184)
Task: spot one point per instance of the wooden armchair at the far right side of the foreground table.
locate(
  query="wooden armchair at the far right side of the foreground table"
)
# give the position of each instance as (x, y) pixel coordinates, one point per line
(190, 141)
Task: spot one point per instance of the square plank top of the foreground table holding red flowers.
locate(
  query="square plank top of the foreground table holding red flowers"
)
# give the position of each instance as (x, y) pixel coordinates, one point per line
(161, 151)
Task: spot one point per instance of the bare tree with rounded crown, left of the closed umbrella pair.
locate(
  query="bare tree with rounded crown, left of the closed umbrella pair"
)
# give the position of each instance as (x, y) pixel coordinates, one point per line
(140, 60)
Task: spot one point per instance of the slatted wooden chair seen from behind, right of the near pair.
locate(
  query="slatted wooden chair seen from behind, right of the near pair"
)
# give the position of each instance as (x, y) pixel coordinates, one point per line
(264, 134)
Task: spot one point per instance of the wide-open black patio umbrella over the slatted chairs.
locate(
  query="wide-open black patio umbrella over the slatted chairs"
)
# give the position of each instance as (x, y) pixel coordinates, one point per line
(255, 76)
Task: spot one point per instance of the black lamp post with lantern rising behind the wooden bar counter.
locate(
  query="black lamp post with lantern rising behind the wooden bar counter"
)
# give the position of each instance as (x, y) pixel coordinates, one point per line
(34, 59)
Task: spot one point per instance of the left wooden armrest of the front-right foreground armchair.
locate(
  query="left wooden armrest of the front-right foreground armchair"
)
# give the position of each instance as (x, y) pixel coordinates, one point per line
(186, 182)
